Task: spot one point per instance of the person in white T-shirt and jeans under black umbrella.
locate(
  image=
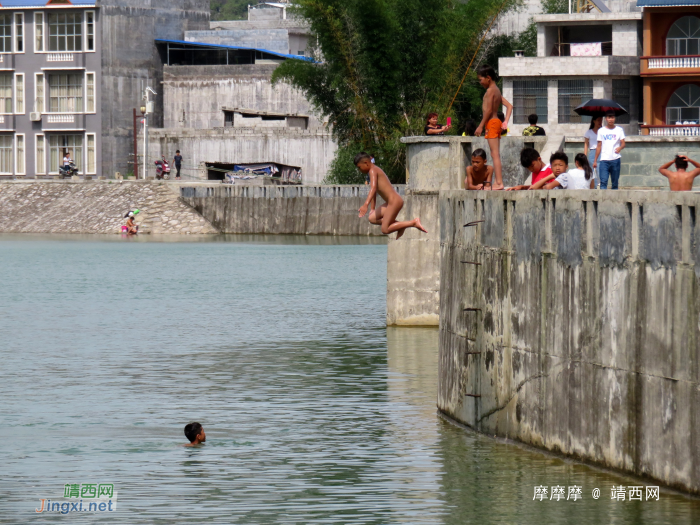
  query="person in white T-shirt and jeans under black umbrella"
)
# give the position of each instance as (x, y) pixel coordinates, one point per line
(611, 140)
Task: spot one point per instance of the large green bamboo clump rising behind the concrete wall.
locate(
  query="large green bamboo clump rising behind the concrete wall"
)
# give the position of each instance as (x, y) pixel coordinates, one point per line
(384, 64)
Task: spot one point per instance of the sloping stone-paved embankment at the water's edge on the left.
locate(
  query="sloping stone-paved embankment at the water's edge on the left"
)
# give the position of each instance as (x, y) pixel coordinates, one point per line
(95, 207)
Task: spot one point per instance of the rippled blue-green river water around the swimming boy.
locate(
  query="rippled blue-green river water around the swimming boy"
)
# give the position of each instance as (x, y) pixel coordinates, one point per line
(314, 411)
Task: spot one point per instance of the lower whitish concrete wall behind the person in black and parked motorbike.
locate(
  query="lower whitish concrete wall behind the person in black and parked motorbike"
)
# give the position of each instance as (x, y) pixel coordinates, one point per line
(311, 150)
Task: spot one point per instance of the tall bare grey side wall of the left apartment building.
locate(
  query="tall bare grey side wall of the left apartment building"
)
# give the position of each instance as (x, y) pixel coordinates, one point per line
(130, 62)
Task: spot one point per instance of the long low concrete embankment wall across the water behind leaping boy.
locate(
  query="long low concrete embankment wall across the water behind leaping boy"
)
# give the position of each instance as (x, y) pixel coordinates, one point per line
(301, 210)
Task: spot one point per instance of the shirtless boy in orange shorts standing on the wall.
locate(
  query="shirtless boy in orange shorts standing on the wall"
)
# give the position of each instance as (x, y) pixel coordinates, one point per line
(493, 125)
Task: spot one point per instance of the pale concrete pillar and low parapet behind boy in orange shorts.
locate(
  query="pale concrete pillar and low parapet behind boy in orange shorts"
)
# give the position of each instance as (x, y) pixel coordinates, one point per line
(413, 265)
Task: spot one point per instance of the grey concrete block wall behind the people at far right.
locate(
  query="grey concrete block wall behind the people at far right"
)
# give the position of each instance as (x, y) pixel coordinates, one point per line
(642, 157)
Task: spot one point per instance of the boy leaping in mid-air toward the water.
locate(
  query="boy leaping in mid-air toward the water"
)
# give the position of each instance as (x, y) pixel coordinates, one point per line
(387, 213)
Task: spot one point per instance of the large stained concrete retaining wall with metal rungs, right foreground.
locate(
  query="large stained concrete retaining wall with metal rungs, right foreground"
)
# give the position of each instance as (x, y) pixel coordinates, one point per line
(570, 321)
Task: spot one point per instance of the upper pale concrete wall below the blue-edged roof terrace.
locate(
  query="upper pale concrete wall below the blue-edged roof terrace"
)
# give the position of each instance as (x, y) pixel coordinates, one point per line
(196, 95)
